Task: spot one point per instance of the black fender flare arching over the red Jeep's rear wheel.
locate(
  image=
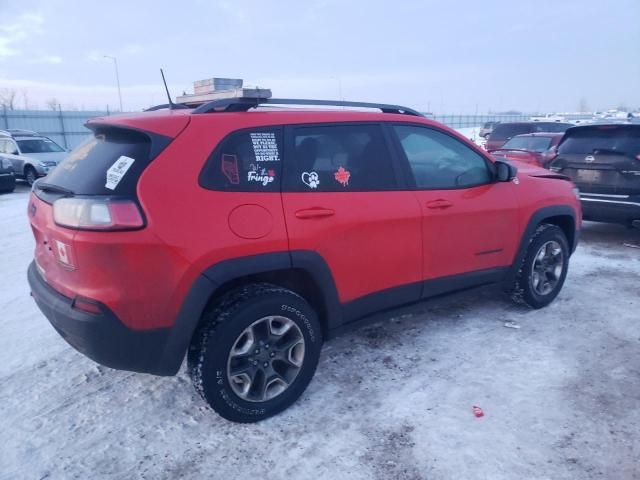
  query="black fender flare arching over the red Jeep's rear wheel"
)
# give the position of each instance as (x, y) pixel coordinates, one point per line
(215, 276)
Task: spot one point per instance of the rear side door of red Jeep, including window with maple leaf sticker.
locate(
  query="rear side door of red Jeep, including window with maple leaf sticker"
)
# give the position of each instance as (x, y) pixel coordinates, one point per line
(343, 198)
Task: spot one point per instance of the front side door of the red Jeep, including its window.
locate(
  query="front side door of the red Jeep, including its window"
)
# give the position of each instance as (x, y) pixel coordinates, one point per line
(470, 222)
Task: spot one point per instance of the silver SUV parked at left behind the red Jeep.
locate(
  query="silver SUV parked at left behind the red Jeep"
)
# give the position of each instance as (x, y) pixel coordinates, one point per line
(32, 155)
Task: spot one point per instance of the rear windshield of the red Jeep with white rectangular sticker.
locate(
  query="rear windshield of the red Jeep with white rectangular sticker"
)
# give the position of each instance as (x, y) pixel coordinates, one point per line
(107, 163)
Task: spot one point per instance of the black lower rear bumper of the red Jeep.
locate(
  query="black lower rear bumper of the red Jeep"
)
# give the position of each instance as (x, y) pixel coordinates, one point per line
(102, 337)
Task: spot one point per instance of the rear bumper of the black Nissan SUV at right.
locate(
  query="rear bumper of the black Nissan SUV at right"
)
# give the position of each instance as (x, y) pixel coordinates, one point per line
(610, 208)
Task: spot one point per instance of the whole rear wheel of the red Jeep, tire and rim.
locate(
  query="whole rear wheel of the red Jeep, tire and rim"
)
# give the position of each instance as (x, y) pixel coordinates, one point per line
(255, 353)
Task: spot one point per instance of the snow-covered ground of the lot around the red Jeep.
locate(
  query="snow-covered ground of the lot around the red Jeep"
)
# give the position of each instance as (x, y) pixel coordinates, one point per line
(390, 401)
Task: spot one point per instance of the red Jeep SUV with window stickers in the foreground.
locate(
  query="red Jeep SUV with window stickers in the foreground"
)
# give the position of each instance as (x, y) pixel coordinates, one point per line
(242, 237)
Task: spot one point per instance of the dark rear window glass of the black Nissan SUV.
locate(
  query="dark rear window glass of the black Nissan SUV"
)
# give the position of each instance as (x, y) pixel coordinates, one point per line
(621, 140)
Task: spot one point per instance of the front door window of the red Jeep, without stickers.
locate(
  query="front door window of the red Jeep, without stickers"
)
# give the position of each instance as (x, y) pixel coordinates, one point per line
(440, 162)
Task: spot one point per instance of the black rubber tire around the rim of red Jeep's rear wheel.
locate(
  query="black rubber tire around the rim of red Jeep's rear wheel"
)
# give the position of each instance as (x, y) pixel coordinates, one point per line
(222, 327)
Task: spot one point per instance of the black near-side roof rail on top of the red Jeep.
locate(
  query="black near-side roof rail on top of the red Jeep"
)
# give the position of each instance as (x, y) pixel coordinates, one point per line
(244, 104)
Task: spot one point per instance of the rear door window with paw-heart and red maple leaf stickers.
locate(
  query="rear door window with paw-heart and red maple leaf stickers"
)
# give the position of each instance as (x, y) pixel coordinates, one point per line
(340, 158)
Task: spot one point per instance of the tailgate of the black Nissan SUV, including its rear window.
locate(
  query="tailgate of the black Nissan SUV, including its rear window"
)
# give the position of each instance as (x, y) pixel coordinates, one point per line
(601, 158)
